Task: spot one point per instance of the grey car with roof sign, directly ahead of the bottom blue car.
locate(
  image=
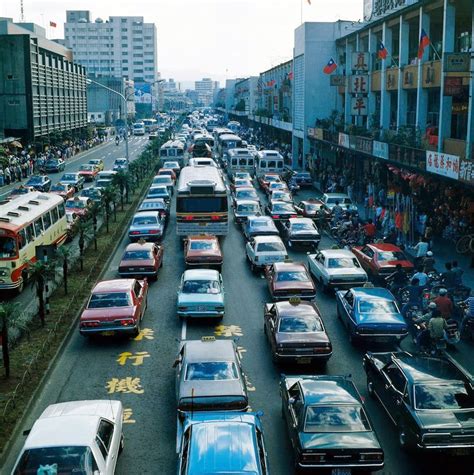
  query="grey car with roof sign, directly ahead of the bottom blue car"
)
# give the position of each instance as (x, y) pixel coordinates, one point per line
(209, 377)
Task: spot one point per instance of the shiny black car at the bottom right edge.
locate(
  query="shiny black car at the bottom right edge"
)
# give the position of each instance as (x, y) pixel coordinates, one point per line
(430, 399)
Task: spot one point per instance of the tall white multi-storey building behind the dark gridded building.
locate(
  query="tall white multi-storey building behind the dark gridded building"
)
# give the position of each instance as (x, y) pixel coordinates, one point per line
(120, 47)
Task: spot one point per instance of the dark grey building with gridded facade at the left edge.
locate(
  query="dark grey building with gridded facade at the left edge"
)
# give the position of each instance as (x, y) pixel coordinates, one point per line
(42, 90)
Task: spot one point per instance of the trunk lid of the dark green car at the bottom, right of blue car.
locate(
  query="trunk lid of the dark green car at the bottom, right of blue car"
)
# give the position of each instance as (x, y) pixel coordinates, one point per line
(350, 440)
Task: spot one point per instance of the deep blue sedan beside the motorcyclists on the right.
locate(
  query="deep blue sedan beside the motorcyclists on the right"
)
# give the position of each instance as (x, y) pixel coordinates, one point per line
(371, 315)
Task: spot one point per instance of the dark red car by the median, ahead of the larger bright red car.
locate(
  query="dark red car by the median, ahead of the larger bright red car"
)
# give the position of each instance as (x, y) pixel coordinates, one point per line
(141, 259)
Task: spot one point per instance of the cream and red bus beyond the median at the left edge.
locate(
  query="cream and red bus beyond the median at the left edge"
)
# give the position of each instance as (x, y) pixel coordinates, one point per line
(31, 220)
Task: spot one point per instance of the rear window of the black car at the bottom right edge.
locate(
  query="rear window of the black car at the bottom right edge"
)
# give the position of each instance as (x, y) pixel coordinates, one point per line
(455, 395)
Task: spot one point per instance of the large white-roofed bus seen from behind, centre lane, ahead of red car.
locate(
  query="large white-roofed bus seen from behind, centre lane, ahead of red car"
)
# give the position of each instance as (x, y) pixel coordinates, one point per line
(201, 202)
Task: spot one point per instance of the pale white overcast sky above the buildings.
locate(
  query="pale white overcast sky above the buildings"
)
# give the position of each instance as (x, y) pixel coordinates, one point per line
(203, 38)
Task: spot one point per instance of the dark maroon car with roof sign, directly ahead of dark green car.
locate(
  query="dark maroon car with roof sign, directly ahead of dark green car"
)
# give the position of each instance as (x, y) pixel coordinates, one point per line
(296, 333)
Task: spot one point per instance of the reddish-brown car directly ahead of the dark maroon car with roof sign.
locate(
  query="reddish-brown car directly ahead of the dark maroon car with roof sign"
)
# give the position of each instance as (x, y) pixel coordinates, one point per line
(289, 279)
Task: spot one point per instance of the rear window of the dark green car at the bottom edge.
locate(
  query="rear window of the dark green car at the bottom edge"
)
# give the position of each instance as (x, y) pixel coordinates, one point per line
(340, 418)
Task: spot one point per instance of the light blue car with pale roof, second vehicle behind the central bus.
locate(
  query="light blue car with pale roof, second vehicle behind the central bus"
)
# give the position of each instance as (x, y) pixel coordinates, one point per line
(201, 294)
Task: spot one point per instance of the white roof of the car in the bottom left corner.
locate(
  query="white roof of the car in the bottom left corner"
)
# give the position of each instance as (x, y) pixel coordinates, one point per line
(71, 423)
